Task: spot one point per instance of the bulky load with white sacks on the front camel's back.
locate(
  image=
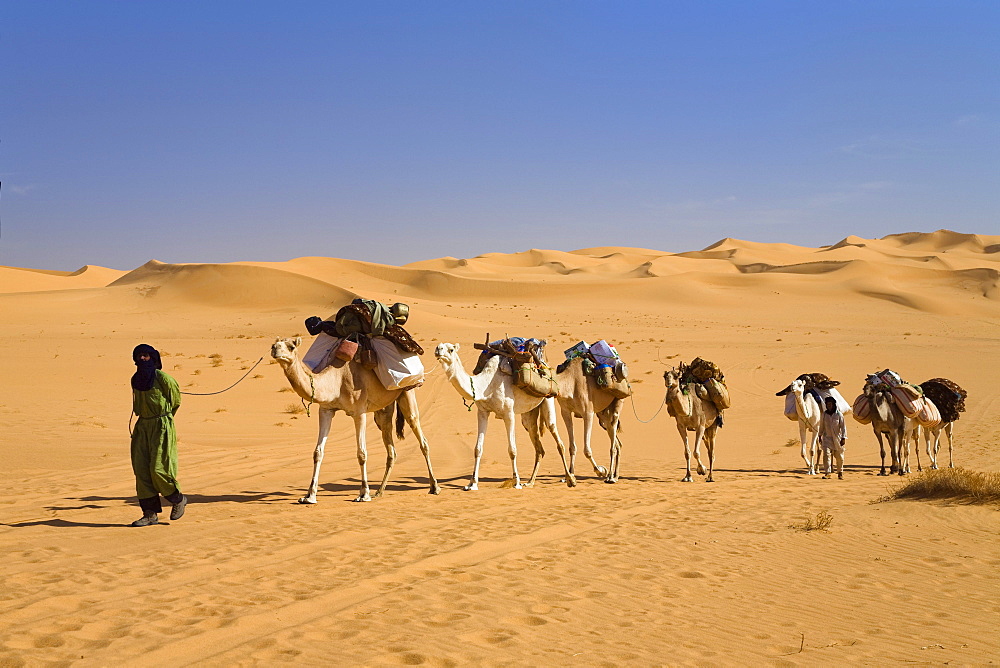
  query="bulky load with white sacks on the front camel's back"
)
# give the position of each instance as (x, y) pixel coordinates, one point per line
(372, 334)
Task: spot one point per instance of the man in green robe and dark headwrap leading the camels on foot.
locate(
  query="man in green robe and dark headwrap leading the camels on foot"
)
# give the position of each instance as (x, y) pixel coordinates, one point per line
(155, 399)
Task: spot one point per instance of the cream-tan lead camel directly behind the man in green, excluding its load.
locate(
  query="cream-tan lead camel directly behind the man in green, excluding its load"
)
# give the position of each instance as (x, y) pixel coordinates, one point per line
(357, 391)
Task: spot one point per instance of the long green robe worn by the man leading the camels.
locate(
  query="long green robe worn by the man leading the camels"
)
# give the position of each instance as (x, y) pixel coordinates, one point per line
(154, 440)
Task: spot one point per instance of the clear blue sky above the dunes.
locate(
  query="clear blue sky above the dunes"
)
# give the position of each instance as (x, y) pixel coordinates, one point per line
(395, 131)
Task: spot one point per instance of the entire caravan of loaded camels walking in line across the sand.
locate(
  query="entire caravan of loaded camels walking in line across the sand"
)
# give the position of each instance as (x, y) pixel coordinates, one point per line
(363, 361)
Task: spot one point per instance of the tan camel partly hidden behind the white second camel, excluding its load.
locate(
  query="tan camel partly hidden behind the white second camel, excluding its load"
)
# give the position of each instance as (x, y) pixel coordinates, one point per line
(580, 396)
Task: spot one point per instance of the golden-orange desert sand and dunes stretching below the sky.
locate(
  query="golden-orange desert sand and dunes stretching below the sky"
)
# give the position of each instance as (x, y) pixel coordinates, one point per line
(650, 571)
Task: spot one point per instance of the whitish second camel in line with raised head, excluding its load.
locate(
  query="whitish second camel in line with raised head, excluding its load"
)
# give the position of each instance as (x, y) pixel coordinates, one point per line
(494, 393)
